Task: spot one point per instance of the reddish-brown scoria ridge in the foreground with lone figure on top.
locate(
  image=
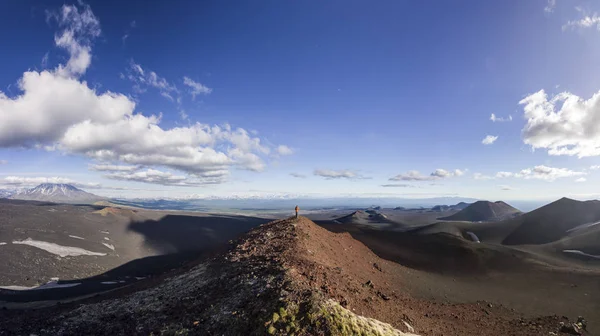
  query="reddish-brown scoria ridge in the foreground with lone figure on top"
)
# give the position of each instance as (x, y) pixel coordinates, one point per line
(287, 277)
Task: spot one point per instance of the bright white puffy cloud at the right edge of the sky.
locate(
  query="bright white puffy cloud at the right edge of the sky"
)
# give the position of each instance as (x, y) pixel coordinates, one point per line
(563, 125)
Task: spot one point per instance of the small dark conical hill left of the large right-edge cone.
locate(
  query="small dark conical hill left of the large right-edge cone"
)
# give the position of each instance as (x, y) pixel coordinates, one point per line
(484, 211)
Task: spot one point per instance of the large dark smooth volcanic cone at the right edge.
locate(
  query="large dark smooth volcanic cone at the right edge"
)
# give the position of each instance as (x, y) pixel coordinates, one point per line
(553, 222)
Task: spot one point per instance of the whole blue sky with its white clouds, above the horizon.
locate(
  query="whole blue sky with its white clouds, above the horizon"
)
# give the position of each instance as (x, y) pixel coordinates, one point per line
(312, 97)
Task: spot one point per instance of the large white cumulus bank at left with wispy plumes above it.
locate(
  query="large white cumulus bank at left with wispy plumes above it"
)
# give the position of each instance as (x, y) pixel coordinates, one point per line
(58, 111)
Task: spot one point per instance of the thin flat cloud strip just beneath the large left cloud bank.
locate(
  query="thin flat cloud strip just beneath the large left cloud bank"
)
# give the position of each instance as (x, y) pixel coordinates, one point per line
(163, 178)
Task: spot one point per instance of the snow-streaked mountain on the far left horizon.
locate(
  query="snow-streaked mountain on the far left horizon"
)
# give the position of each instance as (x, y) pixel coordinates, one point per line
(57, 193)
